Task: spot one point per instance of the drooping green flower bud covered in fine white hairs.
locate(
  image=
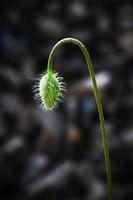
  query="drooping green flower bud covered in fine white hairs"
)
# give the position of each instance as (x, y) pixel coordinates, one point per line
(49, 90)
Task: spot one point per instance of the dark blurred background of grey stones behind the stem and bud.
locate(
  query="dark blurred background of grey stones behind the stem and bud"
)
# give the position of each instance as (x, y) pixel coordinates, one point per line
(58, 155)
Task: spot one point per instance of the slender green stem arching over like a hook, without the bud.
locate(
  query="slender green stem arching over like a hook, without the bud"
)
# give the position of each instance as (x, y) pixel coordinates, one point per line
(98, 102)
